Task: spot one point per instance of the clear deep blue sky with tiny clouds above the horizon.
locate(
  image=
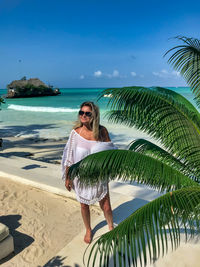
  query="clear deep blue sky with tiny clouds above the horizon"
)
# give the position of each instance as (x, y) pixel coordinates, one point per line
(90, 43)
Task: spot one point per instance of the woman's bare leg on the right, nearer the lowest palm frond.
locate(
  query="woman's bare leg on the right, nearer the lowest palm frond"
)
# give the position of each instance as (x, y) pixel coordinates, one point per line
(106, 207)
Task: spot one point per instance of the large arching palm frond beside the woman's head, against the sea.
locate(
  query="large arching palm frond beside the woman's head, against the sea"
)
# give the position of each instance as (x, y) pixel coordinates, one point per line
(163, 114)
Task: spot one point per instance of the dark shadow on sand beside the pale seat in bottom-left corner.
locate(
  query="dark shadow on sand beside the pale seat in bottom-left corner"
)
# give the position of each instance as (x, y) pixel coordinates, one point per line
(21, 241)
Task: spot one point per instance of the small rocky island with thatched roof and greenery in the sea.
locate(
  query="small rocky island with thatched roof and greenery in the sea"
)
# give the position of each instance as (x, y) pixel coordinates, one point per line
(30, 88)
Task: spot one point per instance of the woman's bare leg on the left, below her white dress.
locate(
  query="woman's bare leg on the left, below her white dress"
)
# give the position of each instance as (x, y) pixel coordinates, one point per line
(85, 211)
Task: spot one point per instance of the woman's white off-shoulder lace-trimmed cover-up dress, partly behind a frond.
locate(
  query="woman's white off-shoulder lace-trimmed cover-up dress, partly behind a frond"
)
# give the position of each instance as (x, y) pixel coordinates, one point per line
(76, 149)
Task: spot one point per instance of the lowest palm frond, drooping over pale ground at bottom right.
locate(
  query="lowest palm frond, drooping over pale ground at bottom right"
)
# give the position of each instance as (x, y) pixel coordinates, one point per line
(144, 234)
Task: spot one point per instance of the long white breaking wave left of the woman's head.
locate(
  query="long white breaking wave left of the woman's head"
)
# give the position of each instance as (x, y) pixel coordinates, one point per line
(41, 109)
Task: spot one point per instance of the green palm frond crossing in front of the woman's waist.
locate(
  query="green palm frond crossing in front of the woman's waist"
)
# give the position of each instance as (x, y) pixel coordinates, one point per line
(128, 166)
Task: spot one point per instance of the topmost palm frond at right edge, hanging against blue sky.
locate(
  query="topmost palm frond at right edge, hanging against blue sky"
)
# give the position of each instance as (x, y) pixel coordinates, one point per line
(186, 59)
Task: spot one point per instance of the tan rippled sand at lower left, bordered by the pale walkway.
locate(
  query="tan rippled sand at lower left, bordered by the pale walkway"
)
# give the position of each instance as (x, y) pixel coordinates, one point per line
(41, 223)
